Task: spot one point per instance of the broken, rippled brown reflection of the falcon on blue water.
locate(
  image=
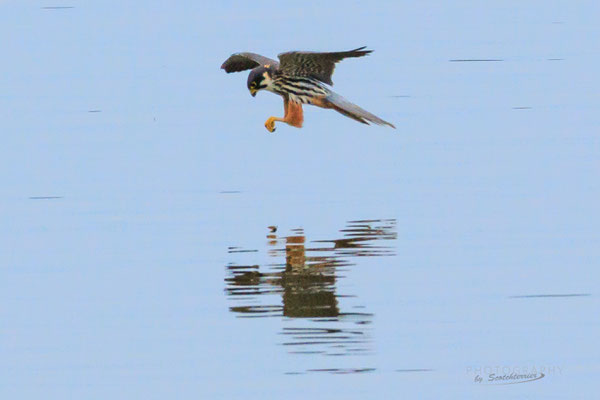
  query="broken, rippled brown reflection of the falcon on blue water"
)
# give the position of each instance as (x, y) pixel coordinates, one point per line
(299, 282)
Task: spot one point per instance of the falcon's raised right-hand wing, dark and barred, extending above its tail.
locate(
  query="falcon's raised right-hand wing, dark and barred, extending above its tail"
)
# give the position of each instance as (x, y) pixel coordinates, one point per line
(316, 65)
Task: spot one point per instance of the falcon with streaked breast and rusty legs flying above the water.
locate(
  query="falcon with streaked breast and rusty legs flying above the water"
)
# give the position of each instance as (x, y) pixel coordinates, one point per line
(300, 77)
